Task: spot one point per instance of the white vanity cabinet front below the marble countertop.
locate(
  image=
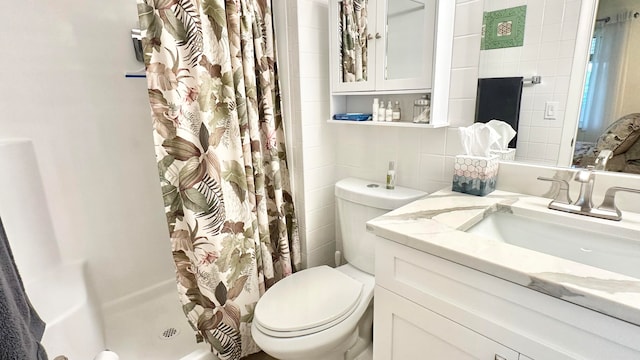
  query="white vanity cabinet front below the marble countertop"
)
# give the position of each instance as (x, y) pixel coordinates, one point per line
(427, 307)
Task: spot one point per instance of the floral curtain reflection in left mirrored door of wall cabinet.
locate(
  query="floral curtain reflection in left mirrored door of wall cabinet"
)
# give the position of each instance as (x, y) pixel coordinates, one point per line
(354, 42)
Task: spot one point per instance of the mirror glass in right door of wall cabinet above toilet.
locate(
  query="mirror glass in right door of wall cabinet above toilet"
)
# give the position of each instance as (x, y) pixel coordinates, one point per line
(404, 19)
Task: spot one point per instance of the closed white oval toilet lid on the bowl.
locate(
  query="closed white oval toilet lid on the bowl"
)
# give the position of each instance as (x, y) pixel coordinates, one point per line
(307, 302)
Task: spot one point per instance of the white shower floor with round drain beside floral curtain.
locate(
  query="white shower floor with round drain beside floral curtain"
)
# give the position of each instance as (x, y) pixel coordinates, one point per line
(141, 327)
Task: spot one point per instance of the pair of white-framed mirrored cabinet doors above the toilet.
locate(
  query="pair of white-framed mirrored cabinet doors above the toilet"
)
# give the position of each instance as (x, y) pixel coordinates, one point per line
(382, 45)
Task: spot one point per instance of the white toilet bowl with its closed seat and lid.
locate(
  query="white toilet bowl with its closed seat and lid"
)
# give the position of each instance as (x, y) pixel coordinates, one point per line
(307, 327)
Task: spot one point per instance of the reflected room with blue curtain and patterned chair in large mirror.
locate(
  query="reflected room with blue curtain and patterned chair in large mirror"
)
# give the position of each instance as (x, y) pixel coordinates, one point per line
(609, 116)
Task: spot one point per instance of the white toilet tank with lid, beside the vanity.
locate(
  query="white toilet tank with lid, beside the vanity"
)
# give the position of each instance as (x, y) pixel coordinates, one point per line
(359, 201)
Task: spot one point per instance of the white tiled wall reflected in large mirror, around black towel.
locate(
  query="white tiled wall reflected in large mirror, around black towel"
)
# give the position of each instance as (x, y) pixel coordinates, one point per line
(549, 42)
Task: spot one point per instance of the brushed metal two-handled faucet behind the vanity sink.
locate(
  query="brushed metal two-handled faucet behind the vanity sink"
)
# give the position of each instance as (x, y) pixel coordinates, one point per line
(584, 204)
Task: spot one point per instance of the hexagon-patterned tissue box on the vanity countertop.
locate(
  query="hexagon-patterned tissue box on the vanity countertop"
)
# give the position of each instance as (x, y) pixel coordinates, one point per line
(475, 175)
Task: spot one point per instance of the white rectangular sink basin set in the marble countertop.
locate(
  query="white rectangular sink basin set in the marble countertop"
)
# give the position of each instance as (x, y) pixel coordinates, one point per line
(603, 250)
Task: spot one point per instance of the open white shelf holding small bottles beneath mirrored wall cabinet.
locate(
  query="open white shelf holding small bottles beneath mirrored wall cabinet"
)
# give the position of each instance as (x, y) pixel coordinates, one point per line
(403, 110)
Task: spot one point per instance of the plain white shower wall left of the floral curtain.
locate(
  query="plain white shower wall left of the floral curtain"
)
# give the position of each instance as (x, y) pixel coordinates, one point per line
(63, 87)
